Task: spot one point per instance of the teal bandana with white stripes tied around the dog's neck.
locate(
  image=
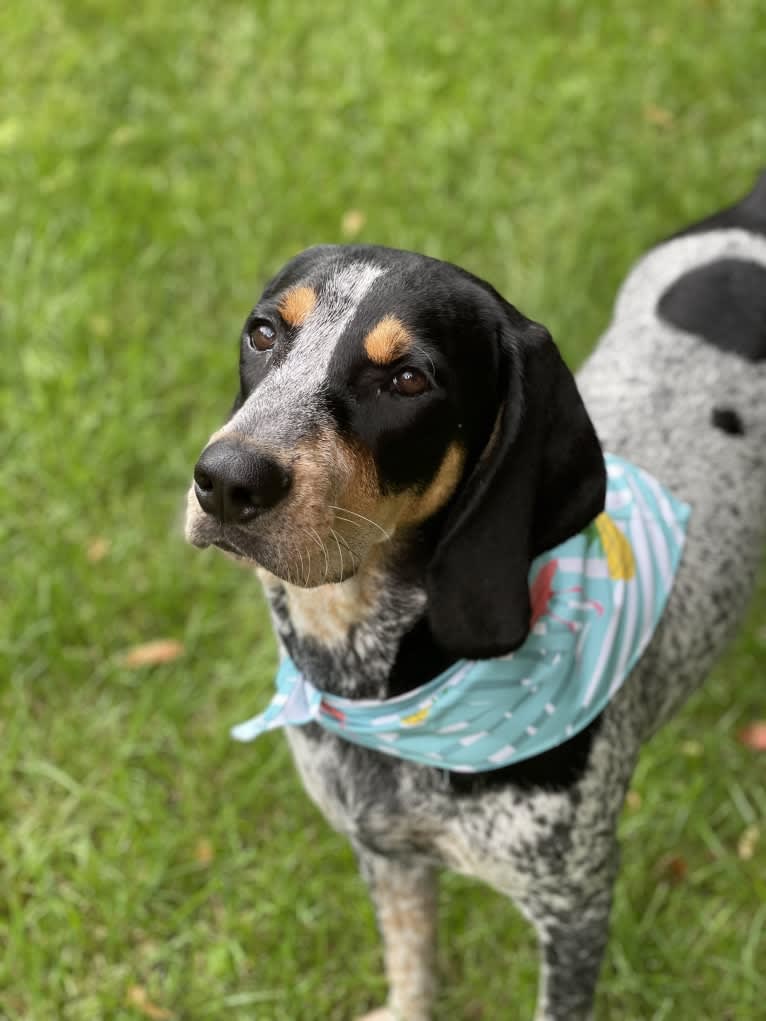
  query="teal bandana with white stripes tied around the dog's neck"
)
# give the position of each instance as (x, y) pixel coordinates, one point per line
(597, 601)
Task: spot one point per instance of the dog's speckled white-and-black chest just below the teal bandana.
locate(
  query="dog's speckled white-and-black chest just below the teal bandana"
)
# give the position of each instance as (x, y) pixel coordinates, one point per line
(390, 808)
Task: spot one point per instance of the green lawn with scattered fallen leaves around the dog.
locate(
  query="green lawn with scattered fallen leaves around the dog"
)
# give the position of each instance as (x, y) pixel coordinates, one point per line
(159, 162)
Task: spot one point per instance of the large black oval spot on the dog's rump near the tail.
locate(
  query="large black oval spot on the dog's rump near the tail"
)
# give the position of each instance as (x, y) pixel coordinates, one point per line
(725, 304)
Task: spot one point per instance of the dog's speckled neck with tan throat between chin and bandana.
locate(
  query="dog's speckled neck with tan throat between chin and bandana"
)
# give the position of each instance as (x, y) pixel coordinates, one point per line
(365, 638)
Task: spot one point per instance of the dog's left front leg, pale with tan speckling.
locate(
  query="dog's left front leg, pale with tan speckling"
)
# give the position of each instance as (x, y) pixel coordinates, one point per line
(405, 896)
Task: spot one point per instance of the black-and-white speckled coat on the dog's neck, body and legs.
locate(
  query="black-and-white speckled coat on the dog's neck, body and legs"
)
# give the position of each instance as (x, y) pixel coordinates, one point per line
(678, 384)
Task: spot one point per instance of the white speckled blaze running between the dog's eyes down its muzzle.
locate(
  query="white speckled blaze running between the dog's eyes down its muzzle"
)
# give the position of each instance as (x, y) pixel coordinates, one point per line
(291, 386)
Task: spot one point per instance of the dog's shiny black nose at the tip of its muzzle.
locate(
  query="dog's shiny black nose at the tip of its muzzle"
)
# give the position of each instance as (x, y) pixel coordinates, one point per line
(235, 484)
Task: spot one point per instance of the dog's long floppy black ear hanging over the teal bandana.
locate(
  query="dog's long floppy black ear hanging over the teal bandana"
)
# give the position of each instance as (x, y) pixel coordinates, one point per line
(541, 480)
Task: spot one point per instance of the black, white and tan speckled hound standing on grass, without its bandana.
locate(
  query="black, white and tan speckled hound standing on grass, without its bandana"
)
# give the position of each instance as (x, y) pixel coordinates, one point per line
(405, 444)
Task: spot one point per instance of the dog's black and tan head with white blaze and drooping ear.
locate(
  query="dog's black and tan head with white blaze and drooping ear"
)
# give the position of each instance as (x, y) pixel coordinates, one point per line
(386, 397)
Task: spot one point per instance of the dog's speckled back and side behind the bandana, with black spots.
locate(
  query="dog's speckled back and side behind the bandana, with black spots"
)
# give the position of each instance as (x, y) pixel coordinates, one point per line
(679, 385)
